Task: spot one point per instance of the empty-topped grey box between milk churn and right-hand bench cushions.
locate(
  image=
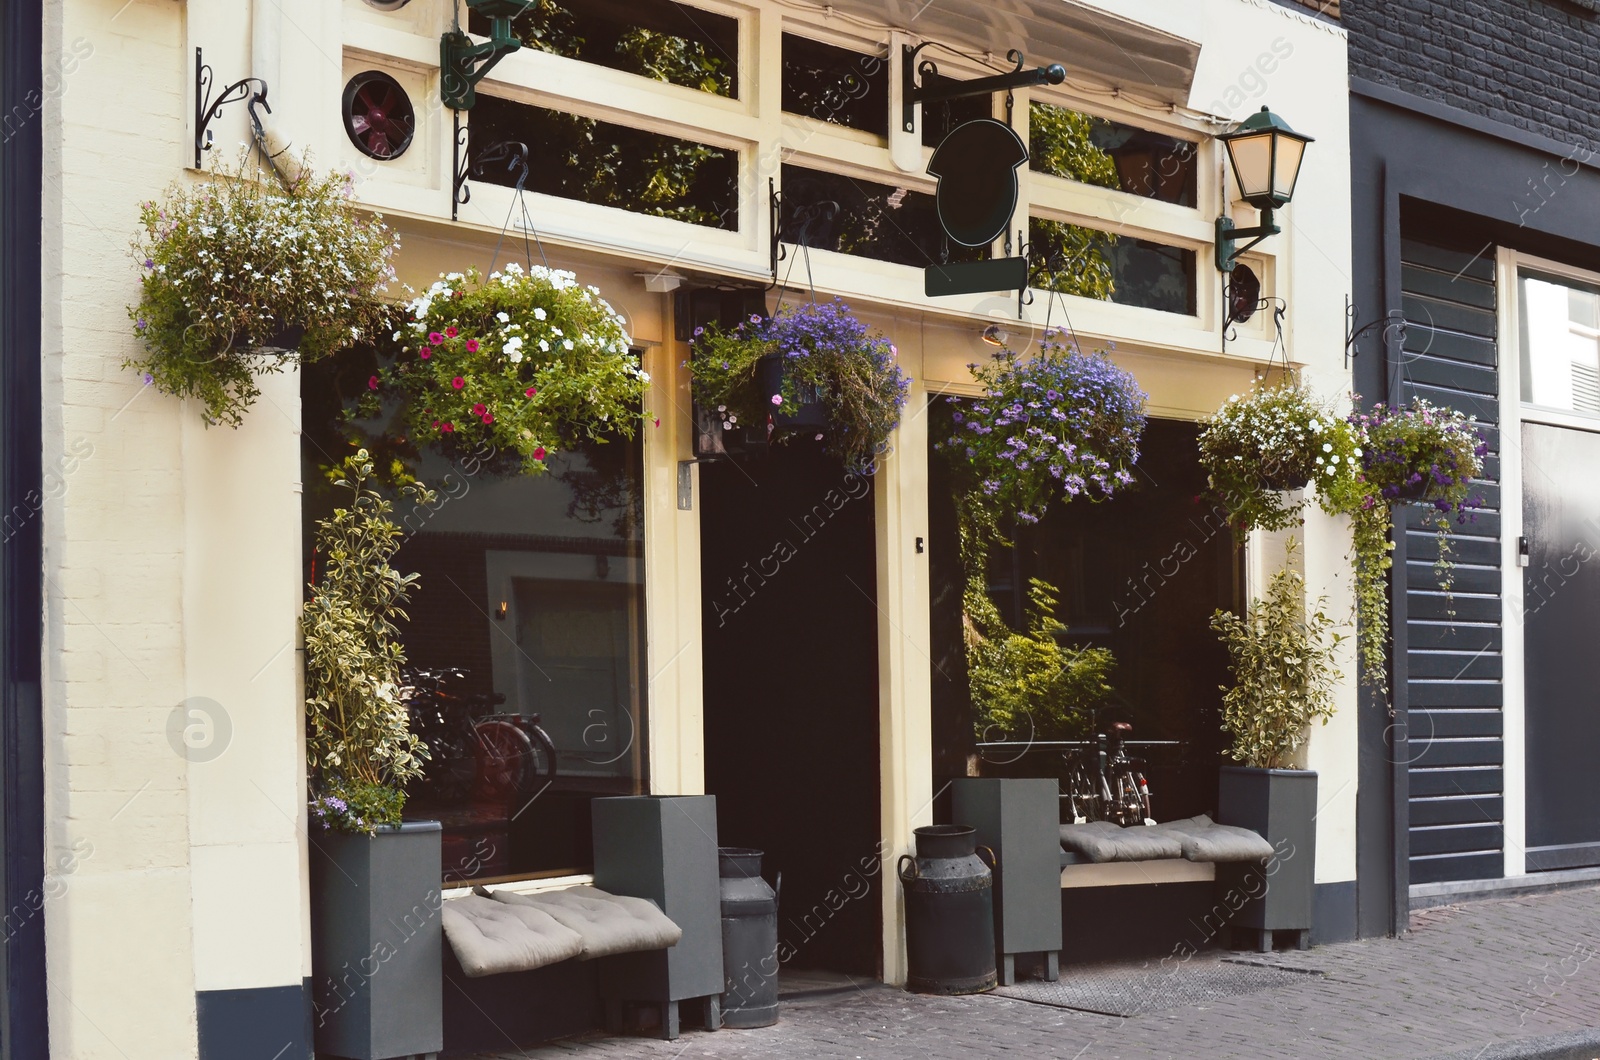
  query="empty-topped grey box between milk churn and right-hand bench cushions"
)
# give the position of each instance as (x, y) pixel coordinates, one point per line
(1022, 822)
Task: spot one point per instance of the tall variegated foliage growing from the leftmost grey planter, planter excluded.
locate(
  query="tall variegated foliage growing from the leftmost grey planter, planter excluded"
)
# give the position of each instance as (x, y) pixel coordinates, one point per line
(359, 741)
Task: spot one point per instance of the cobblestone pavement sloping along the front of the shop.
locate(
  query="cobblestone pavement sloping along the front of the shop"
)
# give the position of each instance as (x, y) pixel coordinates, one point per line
(1463, 981)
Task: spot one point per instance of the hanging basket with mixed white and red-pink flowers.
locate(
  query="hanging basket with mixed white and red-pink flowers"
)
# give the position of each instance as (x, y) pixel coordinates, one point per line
(526, 363)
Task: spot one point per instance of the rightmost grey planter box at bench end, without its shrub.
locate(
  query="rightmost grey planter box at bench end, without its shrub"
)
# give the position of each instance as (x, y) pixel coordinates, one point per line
(1281, 805)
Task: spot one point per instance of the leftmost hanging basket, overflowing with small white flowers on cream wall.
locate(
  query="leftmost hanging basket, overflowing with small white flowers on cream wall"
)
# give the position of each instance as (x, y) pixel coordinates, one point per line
(244, 276)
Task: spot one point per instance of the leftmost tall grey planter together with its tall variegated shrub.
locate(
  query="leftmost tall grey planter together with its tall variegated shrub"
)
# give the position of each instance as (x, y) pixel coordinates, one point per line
(377, 939)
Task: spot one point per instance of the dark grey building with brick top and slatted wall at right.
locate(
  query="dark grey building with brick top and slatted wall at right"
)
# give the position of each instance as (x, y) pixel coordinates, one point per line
(1478, 228)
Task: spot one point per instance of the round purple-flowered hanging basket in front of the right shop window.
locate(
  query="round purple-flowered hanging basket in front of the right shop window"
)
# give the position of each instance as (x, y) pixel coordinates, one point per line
(1057, 427)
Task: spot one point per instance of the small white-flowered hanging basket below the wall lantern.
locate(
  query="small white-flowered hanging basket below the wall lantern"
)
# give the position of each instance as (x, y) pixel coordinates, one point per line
(1271, 443)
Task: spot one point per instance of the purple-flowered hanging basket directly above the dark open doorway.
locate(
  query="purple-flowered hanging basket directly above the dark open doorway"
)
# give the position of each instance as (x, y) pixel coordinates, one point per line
(814, 369)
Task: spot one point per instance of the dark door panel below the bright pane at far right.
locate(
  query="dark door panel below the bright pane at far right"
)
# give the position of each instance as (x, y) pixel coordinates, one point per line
(1562, 611)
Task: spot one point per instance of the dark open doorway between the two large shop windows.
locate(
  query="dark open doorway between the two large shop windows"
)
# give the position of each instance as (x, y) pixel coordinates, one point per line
(791, 625)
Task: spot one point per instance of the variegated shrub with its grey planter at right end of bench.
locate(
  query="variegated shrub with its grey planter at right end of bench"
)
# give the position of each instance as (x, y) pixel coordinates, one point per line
(1282, 660)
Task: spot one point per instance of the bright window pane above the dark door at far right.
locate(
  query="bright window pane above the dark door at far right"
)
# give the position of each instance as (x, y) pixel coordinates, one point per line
(1561, 345)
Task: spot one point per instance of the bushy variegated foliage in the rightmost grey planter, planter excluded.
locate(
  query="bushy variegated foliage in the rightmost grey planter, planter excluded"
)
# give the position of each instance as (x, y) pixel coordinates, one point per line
(1282, 659)
